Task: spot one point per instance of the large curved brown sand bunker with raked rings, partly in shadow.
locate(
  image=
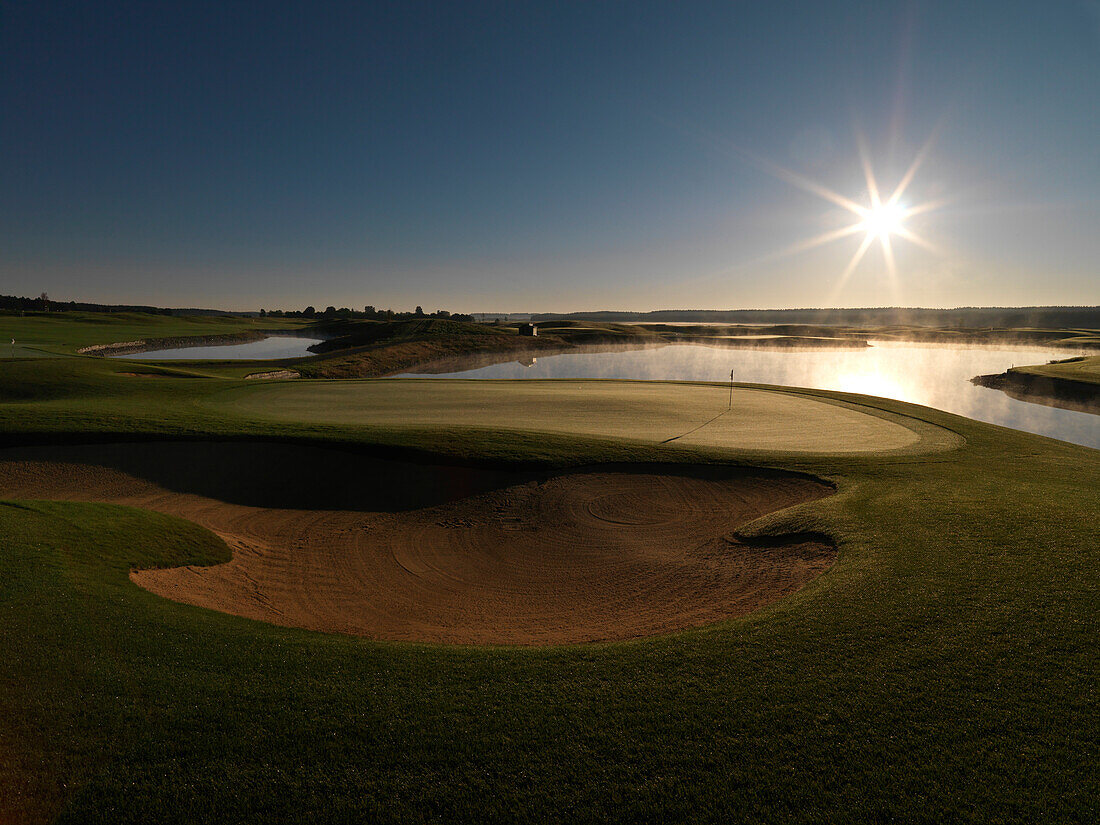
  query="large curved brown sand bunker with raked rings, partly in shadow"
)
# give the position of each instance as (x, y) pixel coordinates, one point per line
(447, 555)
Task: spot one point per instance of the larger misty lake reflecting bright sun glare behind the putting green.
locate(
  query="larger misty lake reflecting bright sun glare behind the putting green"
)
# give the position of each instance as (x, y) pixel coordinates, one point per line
(934, 376)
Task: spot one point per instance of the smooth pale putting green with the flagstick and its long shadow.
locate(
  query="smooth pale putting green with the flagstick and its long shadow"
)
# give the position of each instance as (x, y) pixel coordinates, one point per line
(692, 415)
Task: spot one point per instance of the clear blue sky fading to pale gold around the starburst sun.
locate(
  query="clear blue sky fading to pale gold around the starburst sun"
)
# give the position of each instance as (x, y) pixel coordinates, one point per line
(521, 157)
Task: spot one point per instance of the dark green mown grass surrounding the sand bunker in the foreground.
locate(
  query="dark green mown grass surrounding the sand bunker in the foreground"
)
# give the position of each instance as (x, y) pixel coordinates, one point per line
(943, 670)
